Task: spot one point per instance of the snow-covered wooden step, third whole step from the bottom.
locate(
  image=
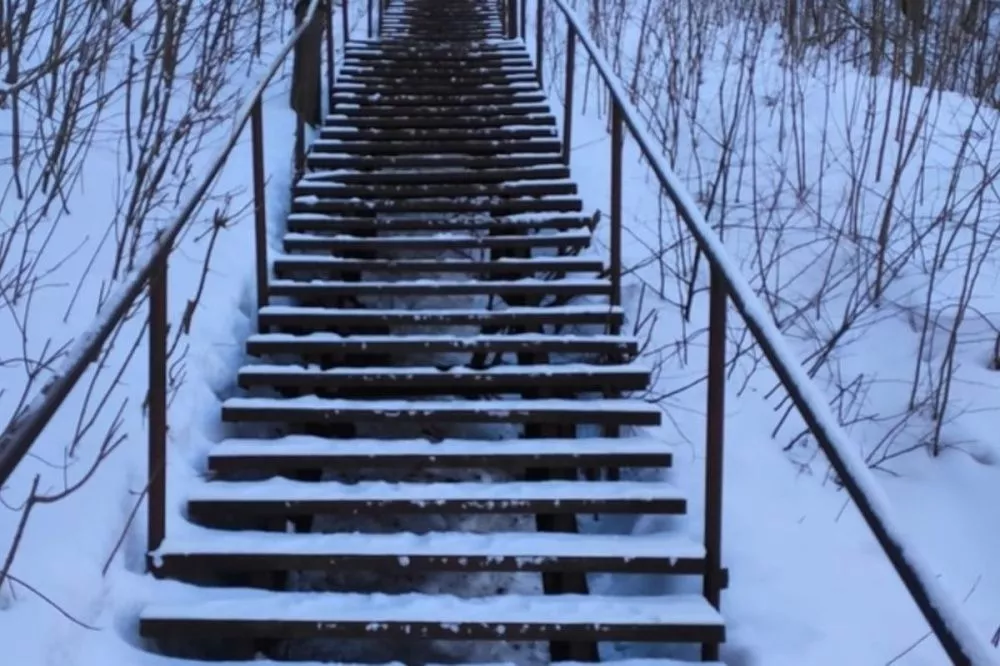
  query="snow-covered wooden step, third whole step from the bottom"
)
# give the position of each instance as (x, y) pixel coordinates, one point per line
(284, 497)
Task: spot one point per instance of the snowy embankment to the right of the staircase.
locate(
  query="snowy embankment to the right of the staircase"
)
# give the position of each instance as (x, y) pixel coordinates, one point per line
(797, 167)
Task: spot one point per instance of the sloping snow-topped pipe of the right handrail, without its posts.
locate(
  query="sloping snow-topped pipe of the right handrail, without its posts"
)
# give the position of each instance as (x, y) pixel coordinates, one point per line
(943, 614)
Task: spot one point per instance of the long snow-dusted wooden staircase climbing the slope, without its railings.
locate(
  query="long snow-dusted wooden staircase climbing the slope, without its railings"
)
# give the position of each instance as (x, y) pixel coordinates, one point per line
(431, 269)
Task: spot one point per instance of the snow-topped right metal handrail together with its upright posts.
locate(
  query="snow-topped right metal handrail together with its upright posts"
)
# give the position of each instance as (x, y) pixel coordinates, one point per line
(956, 634)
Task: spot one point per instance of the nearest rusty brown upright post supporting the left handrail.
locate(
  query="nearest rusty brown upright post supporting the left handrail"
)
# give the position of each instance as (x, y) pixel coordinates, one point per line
(156, 495)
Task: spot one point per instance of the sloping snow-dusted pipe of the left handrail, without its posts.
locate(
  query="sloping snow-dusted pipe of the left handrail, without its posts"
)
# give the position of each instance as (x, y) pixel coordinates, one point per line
(20, 434)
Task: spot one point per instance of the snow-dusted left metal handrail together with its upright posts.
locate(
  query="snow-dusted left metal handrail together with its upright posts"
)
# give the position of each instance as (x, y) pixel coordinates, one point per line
(21, 433)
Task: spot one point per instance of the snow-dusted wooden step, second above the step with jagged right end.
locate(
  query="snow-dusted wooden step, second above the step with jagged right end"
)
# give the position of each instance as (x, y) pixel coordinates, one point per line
(535, 189)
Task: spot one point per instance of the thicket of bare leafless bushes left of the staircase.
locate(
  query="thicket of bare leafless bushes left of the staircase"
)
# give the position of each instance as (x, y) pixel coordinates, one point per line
(106, 109)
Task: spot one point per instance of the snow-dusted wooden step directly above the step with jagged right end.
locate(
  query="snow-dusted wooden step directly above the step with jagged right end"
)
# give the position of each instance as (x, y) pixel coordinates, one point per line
(495, 208)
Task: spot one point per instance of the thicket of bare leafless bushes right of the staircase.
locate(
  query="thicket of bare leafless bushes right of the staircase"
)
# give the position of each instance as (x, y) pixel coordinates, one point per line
(822, 142)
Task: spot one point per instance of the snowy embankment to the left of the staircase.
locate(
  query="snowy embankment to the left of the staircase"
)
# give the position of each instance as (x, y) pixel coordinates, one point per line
(108, 148)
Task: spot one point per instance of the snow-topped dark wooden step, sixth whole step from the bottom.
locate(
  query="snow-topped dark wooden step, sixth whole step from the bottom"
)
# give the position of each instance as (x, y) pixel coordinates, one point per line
(572, 378)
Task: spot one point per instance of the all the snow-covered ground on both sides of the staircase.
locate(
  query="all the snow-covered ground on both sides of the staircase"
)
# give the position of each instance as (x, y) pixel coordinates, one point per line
(786, 160)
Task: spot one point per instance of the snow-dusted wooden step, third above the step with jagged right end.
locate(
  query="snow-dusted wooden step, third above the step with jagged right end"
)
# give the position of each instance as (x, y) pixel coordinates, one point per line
(450, 177)
